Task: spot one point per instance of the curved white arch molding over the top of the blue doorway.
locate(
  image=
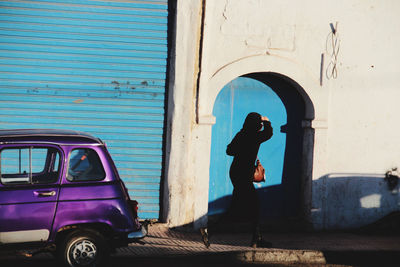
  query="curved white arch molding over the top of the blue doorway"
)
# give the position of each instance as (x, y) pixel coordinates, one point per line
(211, 85)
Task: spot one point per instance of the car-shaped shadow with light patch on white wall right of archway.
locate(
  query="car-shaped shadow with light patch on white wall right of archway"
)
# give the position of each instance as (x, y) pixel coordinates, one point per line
(348, 201)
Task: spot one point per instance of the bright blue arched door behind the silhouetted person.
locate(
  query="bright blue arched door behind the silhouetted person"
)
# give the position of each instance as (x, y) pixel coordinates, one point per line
(238, 98)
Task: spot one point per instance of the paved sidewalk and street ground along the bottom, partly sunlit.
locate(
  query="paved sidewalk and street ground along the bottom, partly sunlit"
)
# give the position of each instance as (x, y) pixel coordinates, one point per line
(349, 249)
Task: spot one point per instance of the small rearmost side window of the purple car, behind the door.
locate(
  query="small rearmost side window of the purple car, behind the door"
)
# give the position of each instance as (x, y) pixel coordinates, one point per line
(85, 165)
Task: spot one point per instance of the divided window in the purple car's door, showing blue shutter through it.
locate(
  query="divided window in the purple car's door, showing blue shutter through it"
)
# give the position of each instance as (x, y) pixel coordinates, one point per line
(29, 165)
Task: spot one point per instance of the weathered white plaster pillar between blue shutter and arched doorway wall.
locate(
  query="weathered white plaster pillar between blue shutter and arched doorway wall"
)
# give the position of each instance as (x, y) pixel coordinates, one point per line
(179, 184)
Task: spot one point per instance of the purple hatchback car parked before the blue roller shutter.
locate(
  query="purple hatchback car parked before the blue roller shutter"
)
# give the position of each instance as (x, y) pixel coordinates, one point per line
(60, 190)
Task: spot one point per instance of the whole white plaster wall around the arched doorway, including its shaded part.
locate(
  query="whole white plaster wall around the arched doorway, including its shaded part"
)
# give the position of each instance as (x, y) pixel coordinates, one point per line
(355, 115)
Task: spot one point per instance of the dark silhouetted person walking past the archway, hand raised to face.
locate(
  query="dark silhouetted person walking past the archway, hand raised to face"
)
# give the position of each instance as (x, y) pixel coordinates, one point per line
(244, 149)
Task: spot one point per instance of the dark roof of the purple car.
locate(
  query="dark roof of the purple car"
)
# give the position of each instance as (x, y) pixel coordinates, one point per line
(56, 136)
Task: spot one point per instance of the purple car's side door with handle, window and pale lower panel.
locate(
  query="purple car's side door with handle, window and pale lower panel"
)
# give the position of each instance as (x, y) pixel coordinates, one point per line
(29, 189)
